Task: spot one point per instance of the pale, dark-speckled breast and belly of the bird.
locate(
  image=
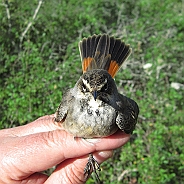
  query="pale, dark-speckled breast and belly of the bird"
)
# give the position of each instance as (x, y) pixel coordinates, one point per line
(89, 118)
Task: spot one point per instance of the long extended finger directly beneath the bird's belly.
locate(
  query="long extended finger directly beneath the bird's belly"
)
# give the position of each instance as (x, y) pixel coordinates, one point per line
(48, 149)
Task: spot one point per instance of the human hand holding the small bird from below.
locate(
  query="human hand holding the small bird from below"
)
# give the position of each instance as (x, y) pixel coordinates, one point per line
(27, 150)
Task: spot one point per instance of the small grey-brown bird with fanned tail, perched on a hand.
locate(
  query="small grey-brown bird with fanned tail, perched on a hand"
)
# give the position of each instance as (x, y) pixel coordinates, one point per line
(94, 108)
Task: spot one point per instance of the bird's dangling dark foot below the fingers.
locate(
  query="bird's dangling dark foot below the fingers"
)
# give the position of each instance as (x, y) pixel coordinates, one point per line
(92, 166)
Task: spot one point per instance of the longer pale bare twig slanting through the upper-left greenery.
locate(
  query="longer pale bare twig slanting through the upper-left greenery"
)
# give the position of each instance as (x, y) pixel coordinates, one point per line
(31, 22)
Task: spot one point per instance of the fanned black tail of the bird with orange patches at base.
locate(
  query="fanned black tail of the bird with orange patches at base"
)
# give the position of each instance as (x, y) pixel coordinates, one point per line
(103, 52)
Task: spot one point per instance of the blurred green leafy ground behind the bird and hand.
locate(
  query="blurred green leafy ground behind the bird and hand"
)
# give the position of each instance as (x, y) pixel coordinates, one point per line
(39, 60)
